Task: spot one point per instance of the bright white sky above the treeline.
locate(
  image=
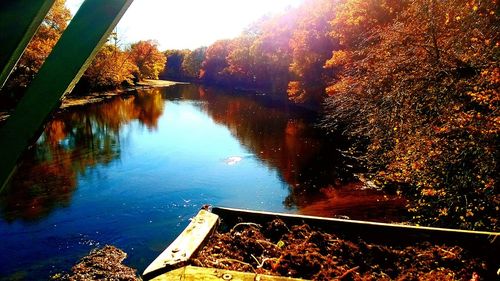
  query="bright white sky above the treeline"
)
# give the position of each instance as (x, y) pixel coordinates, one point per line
(180, 24)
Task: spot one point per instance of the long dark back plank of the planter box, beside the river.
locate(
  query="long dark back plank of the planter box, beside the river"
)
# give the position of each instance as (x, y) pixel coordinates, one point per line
(478, 242)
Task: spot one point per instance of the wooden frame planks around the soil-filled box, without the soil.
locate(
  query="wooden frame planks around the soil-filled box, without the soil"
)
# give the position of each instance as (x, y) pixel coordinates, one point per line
(484, 243)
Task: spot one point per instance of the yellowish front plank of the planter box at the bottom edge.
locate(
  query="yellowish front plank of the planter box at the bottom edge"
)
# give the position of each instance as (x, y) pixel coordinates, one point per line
(194, 273)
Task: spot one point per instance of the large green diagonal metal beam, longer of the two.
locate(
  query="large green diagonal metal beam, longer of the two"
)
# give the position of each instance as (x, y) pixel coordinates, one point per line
(74, 51)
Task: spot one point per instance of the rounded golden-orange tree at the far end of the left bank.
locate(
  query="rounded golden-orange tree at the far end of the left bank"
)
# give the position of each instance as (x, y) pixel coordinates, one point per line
(148, 59)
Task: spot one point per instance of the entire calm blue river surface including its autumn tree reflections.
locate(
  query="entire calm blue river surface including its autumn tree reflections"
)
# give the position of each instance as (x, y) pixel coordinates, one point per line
(132, 171)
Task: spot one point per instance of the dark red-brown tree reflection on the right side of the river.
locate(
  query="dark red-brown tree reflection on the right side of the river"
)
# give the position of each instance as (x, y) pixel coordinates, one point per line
(321, 181)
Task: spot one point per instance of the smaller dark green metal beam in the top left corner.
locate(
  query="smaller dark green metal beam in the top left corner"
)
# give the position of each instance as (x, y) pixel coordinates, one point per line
(19, 20)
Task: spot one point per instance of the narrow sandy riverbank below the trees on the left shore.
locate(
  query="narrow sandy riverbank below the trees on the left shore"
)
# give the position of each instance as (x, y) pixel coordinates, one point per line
(96, 97)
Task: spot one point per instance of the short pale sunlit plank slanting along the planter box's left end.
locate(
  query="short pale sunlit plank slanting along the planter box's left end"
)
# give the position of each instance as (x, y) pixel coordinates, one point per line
(185, 245)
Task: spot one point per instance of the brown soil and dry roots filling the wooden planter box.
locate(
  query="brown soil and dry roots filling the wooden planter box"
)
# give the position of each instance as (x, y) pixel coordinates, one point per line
(301, 252)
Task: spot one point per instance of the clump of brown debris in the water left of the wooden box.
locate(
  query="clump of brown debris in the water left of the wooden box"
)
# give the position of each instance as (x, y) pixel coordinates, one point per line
(101, 264)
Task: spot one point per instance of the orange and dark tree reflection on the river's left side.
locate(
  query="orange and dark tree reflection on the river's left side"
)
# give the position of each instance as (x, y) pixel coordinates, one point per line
(70, 145)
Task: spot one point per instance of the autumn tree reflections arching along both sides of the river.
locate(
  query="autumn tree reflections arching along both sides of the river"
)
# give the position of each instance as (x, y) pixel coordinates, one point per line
(319, 179)
